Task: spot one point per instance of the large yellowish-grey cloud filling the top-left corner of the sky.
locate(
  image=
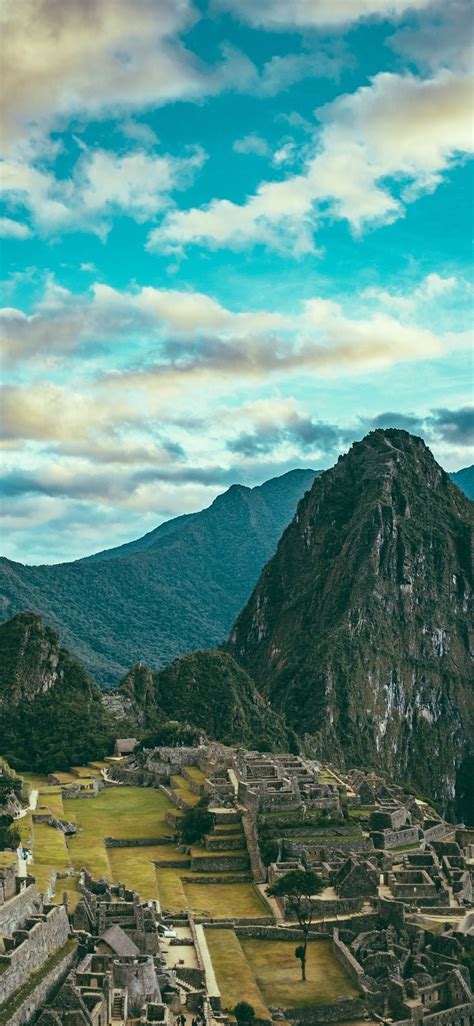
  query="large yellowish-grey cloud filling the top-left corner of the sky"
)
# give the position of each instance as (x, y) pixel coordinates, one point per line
(95, 59)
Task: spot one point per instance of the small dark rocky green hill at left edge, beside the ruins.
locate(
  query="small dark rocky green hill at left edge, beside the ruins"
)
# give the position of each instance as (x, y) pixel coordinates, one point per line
(52, 713)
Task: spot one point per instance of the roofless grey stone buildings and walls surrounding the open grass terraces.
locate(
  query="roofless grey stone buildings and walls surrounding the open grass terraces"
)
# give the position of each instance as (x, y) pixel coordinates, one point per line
(397, 902)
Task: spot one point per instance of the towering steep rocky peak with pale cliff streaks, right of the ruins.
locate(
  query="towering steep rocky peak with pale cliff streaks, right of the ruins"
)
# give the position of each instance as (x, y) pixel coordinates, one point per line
(358, 630)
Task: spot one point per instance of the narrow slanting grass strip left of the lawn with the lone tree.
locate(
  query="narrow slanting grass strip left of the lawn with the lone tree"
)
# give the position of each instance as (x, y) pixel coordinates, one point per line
(233, 973)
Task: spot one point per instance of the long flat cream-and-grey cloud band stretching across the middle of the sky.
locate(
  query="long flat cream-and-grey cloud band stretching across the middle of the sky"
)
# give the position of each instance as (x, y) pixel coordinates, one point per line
(191, 335)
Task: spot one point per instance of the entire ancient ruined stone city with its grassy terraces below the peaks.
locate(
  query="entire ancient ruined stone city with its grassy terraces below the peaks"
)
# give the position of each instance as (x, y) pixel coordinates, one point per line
(109, 917)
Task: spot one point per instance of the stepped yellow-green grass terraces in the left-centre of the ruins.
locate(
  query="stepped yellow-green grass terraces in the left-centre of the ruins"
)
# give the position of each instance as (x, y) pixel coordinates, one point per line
(157, 872)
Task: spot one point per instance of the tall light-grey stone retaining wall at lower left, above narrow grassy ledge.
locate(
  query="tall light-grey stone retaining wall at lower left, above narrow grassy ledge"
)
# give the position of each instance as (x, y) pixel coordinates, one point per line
(44, 939)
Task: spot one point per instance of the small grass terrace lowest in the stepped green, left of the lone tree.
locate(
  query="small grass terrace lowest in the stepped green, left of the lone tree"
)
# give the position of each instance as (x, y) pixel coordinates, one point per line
(226, 901)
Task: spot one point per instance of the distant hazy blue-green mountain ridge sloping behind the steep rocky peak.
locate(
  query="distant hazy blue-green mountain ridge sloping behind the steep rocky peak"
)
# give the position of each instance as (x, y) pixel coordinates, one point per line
(178, 588)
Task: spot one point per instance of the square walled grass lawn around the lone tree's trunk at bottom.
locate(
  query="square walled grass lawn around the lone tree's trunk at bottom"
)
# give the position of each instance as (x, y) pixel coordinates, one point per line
(279, 975)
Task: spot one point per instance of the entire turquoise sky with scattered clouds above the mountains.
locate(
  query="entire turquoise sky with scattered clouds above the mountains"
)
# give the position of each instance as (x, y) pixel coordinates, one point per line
(235, 238)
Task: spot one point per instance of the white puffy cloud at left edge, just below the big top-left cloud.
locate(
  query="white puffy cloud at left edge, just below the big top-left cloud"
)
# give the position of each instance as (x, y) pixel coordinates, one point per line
(104, 183)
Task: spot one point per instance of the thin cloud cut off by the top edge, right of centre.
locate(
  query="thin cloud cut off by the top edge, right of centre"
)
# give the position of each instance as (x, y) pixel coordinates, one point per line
(280, 15)
